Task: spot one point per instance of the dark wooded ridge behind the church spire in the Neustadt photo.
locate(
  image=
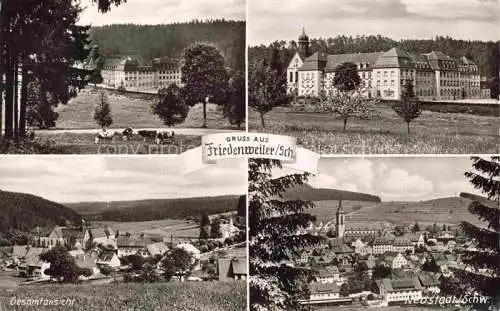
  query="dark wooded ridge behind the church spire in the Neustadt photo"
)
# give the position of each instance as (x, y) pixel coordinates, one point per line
(308, 193)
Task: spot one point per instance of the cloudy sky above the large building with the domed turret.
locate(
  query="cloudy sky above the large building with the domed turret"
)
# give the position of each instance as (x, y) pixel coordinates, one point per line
(270, 20)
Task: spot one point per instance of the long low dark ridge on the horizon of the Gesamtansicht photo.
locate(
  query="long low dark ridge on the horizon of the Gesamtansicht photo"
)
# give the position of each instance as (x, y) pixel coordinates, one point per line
(146, 210)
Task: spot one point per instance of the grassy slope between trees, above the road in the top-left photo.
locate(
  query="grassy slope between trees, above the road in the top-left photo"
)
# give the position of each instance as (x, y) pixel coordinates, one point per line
(130, 110)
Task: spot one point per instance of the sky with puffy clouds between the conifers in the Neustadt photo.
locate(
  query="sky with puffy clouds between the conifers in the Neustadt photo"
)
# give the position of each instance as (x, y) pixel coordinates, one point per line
(396, 178)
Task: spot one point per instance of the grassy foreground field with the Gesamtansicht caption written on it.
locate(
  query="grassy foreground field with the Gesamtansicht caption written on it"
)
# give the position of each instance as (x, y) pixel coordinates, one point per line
(202, 296)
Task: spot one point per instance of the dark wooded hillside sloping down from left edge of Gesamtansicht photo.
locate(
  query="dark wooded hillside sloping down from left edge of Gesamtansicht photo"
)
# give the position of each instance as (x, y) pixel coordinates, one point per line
(21, 211)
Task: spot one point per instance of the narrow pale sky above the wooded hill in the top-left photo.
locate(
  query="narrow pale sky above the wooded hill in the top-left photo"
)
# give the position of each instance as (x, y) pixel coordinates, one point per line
(163, 11)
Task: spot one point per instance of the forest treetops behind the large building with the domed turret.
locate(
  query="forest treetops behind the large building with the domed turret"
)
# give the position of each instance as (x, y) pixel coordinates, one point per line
(484, 54)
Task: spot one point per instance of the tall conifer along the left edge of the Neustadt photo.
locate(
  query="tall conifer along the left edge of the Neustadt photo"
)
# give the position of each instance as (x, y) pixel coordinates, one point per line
(275, 241)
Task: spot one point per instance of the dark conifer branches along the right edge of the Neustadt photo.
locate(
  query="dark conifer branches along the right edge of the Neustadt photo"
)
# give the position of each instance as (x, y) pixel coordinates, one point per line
(483, 276)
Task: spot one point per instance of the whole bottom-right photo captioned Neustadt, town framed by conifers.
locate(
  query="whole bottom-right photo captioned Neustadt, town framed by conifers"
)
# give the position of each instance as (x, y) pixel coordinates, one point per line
(375, 233)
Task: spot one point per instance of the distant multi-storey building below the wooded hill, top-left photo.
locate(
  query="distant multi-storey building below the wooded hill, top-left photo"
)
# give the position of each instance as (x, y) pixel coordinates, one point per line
(132, 74)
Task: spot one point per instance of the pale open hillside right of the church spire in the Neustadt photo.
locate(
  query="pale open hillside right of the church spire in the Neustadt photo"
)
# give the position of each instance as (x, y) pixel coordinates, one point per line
(450, 210)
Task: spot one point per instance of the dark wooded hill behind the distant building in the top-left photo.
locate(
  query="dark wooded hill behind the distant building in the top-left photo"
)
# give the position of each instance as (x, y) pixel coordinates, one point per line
(152, 41)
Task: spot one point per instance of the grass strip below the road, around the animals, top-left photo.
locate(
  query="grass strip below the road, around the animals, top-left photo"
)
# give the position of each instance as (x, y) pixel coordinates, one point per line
(83, 143)
